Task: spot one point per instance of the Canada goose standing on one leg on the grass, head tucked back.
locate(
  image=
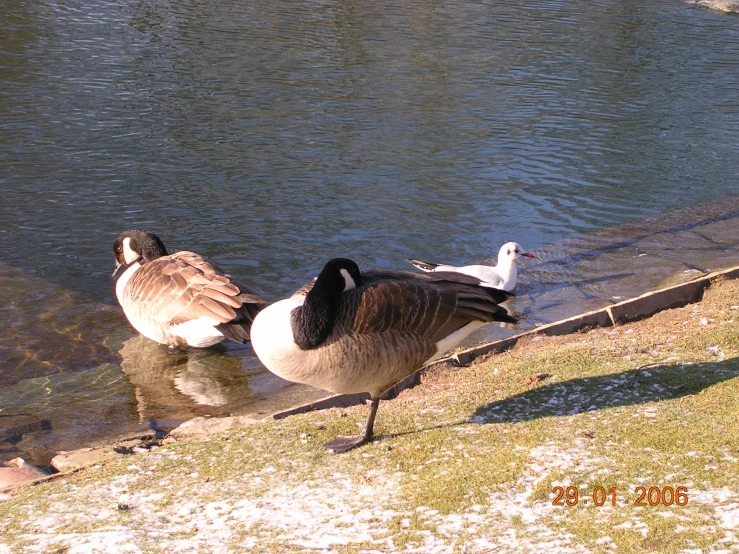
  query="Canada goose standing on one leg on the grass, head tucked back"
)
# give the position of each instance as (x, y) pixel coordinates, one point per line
(356, 332)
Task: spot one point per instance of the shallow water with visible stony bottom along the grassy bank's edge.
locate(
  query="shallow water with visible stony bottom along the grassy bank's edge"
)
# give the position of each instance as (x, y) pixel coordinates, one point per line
(145, 387)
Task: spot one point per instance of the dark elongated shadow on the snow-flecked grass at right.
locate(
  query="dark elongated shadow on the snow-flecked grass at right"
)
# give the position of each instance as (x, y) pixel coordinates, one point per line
(587, 394)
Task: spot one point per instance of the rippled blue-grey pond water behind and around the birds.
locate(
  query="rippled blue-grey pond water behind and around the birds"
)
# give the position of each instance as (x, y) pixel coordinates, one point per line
(271, 136)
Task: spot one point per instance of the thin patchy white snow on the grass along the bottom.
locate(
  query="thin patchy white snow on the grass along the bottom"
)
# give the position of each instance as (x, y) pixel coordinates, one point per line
(271, 509)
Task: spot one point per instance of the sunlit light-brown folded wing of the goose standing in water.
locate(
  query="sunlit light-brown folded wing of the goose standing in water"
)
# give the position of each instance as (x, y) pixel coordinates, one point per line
(184, 286)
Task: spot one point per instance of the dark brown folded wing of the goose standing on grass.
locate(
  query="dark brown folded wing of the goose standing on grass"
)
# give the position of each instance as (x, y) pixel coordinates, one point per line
(433, 305)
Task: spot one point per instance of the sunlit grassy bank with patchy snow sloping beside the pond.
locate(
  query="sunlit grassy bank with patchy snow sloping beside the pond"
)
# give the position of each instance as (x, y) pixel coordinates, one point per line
(467, 462)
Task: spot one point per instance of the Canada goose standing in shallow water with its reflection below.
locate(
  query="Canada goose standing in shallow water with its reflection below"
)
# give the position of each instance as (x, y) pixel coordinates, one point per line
(180, 299)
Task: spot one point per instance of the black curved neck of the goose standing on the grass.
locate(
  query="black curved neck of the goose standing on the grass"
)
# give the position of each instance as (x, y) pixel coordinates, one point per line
(313, 322)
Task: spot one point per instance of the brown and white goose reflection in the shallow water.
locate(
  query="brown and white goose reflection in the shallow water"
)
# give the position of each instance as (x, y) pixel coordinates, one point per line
(179, 384)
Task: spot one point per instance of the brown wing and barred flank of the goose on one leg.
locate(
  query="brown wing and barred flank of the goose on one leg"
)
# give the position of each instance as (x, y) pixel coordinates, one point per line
(390, 326)
